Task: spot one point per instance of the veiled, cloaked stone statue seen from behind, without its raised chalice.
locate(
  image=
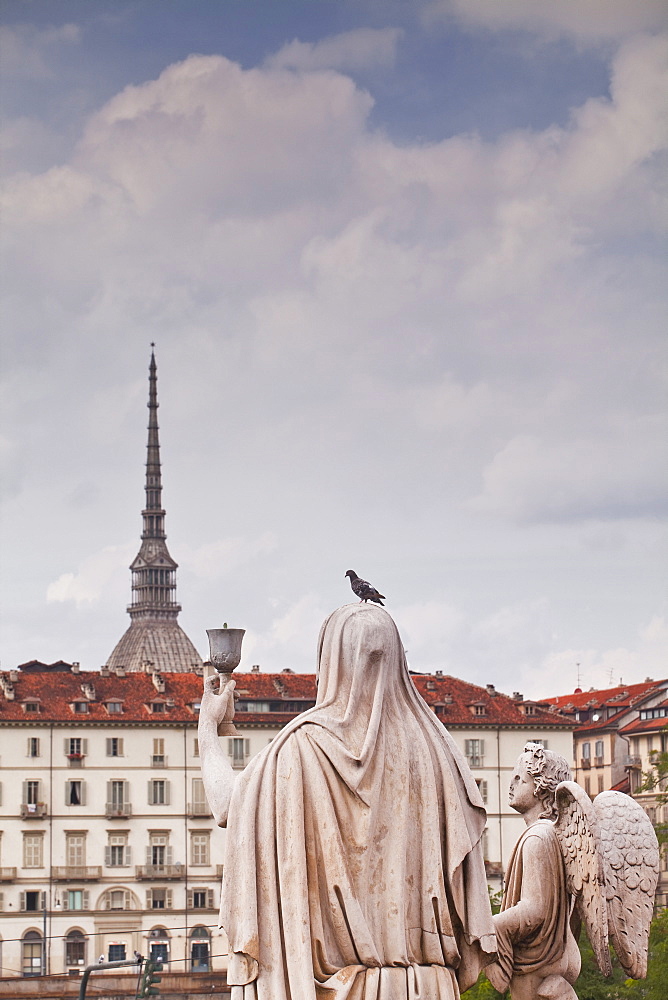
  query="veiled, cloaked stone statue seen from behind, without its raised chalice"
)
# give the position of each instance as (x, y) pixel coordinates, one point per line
(353, 868)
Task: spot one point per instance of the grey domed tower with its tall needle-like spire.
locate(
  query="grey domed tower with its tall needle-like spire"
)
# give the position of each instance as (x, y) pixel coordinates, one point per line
(154, 639)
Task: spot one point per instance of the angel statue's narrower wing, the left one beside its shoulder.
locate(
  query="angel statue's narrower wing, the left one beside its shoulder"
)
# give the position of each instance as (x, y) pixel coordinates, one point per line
(577, 830)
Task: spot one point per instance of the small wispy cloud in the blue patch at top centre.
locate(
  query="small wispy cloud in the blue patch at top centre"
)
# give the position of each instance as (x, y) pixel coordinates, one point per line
(362, 48)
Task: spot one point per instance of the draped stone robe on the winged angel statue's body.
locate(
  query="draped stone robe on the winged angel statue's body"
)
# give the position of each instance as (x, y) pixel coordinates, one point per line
(534, 945)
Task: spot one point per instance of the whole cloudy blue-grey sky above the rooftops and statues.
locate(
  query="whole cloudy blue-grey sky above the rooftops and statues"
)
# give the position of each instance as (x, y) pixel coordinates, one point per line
(404, 265)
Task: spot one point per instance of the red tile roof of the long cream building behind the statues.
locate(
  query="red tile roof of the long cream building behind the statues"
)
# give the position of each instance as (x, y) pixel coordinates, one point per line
(450, 697)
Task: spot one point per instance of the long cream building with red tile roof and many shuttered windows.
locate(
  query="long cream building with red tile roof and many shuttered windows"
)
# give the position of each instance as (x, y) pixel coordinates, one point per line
(108, 844)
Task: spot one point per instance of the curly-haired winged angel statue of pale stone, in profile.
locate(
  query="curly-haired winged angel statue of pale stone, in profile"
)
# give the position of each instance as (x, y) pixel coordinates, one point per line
(577, 862)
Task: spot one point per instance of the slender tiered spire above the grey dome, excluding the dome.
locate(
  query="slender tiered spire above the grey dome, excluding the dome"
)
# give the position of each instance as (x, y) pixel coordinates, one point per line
(153, 569)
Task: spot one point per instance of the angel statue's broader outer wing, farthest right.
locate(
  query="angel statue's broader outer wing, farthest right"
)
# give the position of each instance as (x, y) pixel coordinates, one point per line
(631, 854)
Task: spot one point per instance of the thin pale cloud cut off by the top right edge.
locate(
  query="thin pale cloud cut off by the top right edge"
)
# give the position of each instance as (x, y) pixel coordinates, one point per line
(586, 20)
